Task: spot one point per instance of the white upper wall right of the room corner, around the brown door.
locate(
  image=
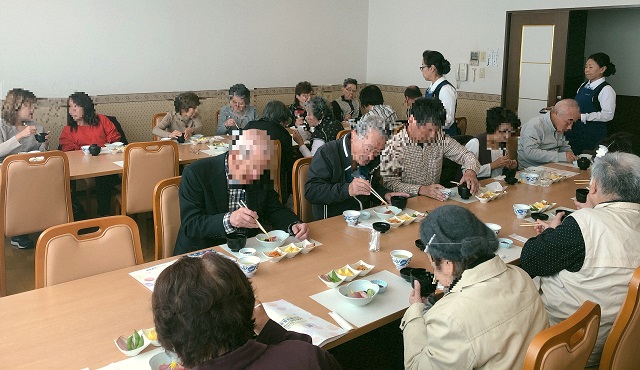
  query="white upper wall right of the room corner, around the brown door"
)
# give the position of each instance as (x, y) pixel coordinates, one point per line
(400, 30)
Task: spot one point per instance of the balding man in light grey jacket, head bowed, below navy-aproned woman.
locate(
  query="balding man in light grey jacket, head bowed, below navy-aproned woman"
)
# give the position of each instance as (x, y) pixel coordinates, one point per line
(542, 138)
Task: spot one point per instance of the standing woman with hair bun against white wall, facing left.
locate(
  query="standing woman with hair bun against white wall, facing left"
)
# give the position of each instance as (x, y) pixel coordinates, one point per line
(434, 67)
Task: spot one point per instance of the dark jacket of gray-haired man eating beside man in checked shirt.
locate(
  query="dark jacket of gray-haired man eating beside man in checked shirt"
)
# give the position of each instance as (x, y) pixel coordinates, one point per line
(327, 188)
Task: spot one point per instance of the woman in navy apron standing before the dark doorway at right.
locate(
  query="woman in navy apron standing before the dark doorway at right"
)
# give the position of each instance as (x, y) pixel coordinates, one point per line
(597, 101)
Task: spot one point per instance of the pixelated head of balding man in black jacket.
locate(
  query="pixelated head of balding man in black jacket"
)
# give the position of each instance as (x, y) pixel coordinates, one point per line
(249, 157)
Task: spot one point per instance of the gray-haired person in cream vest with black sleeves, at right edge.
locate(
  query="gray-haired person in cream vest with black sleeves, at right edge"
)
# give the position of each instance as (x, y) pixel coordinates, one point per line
(592, 254)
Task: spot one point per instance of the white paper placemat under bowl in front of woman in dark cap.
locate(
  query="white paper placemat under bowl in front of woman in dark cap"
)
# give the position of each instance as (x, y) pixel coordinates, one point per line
(394, 299)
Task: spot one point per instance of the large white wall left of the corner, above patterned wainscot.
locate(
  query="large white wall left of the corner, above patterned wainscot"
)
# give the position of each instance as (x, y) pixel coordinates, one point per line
(56, 47)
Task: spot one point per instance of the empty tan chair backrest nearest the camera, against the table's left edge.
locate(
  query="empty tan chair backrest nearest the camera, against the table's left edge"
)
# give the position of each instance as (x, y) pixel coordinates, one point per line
(74, 250)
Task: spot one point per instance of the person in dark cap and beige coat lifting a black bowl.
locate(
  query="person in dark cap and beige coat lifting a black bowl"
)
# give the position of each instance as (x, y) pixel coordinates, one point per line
(490, 311)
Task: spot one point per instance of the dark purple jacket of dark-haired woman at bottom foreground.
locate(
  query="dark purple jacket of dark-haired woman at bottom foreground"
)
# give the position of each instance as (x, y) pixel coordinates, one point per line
(275, 348)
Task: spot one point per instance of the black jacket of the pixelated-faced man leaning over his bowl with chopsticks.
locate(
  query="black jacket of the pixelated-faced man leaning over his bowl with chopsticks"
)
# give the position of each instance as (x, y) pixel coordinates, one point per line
(204, 200)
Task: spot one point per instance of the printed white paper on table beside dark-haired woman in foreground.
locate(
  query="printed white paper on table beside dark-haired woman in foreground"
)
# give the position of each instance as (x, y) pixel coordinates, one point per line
(294, 318)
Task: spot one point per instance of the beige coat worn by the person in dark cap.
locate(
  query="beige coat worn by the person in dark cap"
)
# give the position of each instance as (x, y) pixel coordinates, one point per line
(486, 321)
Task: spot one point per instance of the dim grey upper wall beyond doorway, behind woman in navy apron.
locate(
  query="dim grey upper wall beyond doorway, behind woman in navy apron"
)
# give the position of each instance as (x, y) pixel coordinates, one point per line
(605, 29)
